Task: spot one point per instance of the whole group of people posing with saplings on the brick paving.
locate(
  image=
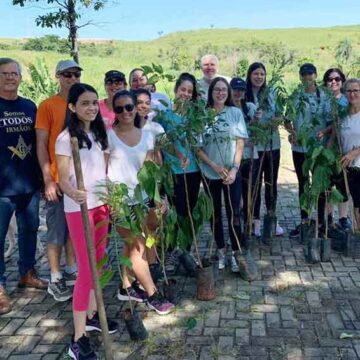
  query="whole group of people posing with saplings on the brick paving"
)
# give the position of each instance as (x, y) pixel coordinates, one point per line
(118, 134)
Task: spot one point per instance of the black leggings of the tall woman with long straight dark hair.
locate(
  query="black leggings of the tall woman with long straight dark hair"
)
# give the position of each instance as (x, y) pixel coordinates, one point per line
(265, 172)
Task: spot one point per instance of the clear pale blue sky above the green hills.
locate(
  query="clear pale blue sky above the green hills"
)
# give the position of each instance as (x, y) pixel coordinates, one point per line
(146, 20)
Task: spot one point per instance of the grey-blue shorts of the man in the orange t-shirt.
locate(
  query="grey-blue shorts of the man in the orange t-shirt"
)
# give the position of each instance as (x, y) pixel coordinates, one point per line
(57, 232)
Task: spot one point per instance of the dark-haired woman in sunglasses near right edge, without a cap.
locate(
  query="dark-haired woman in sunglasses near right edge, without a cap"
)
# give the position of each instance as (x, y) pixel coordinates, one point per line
(334, 79)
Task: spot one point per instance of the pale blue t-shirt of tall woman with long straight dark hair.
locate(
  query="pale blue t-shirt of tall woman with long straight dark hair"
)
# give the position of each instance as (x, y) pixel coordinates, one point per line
(268, 114)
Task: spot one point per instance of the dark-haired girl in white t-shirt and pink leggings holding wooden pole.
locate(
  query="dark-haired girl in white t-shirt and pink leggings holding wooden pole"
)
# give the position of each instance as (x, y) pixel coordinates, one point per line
(86, 124)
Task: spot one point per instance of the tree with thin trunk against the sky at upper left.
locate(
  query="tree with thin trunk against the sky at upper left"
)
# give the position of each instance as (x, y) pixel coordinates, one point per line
(65, 13)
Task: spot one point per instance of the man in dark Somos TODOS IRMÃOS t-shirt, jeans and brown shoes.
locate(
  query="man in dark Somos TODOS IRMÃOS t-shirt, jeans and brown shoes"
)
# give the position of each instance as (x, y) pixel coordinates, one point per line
(19, 178)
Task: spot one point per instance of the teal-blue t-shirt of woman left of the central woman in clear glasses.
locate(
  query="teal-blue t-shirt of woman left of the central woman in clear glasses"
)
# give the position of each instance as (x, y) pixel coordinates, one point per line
(170, 122)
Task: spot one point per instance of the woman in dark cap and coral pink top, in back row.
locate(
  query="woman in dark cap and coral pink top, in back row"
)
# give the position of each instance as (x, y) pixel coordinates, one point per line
(114, 81)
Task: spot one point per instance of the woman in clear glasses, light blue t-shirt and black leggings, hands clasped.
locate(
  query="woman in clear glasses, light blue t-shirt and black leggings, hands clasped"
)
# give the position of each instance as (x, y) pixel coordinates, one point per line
(220, 153)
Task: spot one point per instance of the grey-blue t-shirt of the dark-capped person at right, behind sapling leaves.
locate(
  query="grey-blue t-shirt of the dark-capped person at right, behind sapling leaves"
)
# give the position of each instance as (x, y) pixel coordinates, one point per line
(309, 106)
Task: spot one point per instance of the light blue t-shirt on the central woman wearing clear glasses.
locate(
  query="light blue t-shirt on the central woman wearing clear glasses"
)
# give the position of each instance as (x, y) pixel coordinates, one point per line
(219, 139)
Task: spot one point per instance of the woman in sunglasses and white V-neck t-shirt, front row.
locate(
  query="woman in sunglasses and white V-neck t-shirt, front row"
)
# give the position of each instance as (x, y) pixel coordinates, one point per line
(129, 147)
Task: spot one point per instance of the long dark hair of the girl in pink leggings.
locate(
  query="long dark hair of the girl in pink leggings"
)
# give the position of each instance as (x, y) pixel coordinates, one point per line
(76, 126)
